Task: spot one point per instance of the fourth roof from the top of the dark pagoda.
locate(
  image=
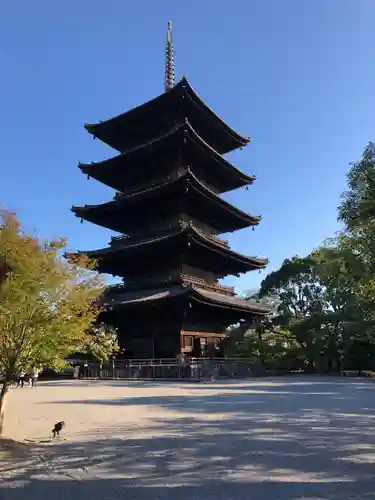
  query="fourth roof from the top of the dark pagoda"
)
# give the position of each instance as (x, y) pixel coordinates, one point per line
(231, 260)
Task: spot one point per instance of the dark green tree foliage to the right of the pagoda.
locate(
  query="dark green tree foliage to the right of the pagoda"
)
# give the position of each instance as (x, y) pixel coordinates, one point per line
(326, 311)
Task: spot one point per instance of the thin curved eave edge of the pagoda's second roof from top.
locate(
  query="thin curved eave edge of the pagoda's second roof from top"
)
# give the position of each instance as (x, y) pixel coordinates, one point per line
(97, 170)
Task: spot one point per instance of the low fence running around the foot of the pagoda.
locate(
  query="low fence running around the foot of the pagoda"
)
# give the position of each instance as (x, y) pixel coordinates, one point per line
(164, 369)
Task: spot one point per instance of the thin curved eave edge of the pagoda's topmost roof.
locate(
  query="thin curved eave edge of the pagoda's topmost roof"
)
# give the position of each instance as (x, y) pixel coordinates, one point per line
(166, 99)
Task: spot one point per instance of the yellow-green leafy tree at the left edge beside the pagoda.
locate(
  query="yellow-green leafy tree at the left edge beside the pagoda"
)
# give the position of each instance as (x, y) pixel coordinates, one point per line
(47, 304)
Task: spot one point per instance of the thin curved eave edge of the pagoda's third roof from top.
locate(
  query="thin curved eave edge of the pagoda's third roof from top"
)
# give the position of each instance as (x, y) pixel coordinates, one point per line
(247, 220)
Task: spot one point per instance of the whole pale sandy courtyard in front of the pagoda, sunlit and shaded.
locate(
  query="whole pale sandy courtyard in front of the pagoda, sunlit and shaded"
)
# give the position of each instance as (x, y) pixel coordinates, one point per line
(268, 439)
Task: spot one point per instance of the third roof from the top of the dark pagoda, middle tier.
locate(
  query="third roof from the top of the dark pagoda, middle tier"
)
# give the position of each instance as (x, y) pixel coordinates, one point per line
(224, 217)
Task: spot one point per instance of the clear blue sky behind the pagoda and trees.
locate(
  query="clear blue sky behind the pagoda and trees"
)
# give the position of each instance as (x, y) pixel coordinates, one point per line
(298, 76)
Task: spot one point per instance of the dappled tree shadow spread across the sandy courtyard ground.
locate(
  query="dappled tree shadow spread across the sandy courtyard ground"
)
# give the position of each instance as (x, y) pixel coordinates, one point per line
(309, 440)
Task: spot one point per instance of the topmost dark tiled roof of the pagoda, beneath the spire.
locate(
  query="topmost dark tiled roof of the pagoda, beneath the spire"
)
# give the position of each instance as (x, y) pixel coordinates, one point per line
(133, 126)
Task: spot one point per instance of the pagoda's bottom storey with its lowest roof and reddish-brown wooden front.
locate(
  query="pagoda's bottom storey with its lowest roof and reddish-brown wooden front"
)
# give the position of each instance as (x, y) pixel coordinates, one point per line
(168, 322)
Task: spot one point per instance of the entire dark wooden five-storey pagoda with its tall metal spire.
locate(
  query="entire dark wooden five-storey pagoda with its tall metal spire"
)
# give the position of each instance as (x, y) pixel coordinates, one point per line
(168, 176)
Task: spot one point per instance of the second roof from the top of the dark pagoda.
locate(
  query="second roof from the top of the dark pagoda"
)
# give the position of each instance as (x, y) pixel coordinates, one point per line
(113, 171)
